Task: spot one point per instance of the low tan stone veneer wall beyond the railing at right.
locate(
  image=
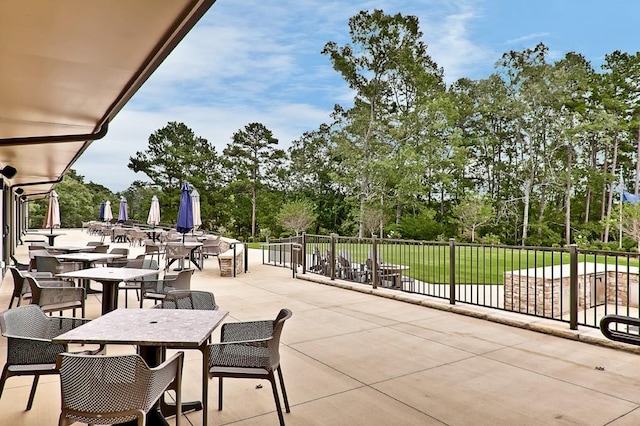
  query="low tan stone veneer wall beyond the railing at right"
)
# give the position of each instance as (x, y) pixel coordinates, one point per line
(538, 296)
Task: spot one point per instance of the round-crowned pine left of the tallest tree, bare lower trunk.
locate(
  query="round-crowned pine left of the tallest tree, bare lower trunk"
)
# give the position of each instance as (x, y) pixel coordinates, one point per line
(253, 158)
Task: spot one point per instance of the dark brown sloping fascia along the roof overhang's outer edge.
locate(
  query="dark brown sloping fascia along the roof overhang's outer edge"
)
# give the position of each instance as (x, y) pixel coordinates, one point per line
(175, 34)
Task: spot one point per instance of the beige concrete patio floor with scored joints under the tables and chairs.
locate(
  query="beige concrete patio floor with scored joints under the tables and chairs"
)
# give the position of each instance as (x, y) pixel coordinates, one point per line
(354, 358)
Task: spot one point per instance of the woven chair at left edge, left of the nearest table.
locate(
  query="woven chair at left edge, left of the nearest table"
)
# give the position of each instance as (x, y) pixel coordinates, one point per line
(29, 349)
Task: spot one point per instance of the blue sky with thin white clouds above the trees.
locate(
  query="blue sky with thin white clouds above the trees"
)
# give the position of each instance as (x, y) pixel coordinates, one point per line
(255, 61)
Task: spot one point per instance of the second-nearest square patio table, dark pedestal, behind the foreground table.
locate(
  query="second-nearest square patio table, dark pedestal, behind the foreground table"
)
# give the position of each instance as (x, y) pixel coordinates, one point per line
(109, 277)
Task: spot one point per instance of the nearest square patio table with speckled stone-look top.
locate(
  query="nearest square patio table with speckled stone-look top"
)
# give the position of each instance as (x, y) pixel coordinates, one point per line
(154, 330)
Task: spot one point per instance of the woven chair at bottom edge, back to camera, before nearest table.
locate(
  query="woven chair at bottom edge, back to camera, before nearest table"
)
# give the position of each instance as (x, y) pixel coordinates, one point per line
(115, 389)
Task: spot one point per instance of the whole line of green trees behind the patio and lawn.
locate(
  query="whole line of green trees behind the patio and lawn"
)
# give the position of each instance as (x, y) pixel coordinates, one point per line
(531, 155)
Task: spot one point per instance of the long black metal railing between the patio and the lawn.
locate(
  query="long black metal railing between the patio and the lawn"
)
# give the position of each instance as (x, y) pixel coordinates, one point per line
(572, 285)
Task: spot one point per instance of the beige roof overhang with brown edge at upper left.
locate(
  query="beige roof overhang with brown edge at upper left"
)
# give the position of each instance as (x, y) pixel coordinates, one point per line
(68, 67)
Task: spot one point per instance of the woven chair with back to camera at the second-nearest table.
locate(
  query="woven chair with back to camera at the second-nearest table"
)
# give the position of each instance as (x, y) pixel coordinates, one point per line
(52, 296)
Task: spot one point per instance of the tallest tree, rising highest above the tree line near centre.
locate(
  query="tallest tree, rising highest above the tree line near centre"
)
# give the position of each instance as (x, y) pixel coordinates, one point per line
(388, 68)
